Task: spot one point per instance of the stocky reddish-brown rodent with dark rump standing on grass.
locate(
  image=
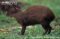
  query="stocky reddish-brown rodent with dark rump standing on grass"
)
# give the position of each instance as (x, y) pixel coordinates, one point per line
(35, 15)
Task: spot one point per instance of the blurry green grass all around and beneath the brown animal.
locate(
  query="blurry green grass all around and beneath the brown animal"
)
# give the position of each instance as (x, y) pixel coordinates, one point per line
(35, 32)
